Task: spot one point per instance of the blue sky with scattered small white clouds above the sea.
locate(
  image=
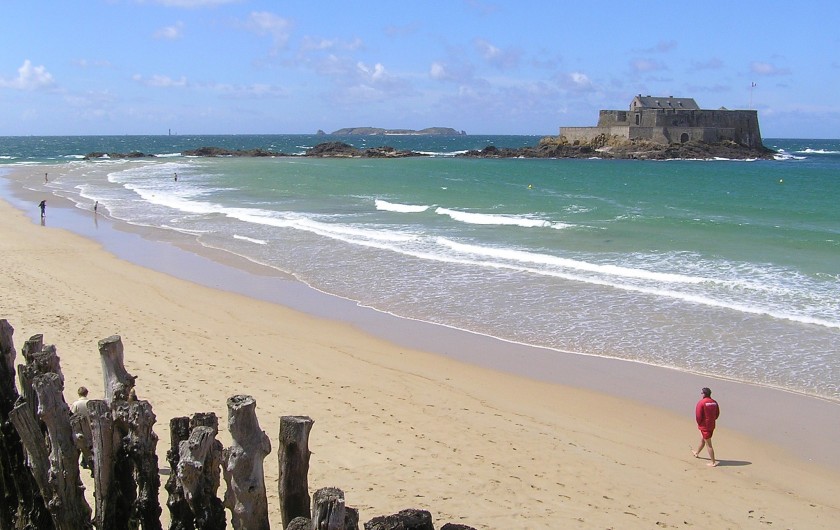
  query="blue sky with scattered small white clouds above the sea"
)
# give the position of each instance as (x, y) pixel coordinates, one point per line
(484, 66)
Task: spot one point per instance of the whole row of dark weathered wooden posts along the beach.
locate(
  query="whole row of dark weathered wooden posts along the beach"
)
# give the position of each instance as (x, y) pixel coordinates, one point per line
(41, 442)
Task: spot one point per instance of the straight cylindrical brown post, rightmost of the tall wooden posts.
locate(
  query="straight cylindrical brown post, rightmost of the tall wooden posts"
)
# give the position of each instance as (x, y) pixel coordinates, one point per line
(293, 459)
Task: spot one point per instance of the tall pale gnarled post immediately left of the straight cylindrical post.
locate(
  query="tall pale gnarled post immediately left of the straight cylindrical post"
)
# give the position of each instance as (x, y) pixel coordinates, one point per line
(243, 466)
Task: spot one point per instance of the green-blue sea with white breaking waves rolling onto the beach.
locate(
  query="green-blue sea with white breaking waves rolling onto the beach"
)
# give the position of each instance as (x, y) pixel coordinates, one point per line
(726, 268)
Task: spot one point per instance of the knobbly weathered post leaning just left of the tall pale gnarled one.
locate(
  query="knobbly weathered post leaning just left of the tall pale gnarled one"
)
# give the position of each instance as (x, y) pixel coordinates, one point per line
(198, 473)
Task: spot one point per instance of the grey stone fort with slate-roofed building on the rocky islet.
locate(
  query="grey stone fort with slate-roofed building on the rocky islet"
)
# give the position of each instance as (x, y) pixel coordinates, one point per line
(667, 120)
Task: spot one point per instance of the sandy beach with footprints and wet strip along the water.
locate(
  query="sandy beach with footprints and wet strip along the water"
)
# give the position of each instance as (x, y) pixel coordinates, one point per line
(474, 430)
